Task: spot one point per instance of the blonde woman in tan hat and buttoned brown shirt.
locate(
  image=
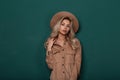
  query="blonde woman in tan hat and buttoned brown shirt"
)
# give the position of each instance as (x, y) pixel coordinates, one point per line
(63, 50)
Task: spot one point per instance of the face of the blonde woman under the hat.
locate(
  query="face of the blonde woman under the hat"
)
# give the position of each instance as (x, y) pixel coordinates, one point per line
(64, 27)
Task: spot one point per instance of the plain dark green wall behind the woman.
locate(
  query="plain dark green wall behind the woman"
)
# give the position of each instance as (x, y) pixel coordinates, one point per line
(24, 27)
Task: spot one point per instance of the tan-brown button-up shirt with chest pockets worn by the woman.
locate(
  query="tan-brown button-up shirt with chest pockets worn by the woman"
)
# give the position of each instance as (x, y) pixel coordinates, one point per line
(64, 61)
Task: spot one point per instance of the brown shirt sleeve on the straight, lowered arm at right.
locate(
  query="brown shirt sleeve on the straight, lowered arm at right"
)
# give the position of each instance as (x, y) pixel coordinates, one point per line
(77, 64)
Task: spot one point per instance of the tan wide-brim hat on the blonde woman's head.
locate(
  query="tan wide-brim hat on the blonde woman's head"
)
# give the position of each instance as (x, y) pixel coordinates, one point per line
(62, 14)
